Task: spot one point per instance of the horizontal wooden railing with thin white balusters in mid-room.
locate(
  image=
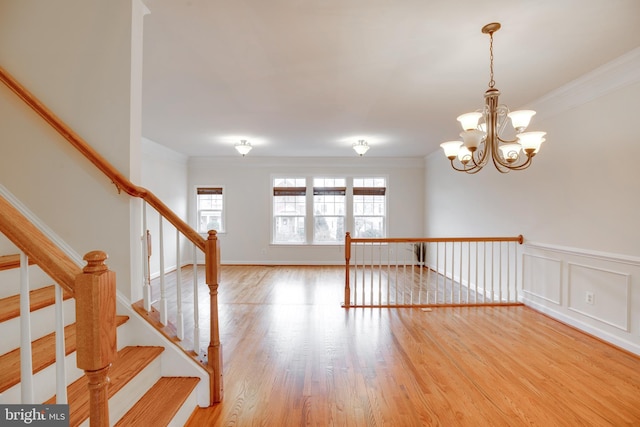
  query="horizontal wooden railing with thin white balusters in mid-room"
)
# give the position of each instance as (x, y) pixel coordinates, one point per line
(426, 272)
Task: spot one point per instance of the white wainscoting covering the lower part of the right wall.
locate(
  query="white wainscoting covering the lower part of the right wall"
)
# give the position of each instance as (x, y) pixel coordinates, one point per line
(596, 292)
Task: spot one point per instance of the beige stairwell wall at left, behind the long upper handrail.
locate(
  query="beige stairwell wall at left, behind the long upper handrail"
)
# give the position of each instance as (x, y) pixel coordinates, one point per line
(75, 57)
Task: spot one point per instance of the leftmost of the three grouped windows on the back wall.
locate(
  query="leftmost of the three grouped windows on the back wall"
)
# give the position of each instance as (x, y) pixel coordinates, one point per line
(289, 210)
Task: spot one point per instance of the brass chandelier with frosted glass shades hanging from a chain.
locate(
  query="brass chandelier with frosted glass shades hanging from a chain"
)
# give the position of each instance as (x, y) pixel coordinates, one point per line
(482, 132)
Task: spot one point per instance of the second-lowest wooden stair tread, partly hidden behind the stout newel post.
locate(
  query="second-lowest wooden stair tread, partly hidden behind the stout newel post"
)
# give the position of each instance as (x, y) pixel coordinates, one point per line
(131, 361)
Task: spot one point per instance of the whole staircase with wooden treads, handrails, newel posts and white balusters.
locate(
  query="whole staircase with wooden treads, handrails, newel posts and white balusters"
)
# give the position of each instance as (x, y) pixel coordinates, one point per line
(140, 376)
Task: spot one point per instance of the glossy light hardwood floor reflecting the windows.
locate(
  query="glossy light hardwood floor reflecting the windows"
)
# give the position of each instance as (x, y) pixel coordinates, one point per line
(294, 357)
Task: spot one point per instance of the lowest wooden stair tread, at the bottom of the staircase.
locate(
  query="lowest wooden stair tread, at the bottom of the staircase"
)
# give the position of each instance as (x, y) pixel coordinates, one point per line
(160, 404)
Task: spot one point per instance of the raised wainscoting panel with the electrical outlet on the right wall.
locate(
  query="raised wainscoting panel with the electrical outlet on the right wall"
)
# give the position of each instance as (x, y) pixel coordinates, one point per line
(601, 294)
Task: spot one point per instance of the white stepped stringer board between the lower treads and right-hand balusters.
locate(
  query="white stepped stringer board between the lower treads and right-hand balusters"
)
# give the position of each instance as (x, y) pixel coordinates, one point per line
(175, 363)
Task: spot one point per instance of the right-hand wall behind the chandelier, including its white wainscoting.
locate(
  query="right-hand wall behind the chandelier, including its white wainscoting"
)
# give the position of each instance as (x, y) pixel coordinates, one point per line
(579, 197)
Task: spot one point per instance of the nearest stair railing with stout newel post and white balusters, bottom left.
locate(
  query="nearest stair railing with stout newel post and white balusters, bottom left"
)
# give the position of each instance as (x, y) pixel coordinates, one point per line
(94, 290)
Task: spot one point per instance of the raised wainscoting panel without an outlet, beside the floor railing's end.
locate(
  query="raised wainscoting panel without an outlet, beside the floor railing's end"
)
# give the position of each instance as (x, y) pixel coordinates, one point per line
(542, 278)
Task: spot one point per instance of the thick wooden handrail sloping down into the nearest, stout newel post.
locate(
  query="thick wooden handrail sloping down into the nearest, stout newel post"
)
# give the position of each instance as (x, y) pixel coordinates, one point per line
(33, 242)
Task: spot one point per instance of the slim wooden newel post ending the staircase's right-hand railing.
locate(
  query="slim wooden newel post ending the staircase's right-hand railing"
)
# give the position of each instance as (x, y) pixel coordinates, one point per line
(214, 352)
